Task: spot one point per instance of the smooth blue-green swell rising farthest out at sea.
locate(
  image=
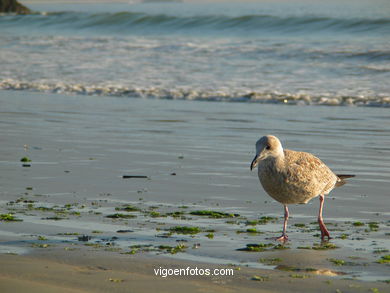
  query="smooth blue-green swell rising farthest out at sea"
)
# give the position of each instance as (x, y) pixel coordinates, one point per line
(130, 21)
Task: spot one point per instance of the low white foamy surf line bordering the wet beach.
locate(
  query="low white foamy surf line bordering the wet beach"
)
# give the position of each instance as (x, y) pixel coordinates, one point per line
(202, 95)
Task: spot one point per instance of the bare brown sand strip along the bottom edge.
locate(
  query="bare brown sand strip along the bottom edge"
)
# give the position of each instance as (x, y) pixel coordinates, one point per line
(94, 271)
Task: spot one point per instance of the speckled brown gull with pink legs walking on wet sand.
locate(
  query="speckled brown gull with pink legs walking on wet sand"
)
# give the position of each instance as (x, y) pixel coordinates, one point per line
(292, 177)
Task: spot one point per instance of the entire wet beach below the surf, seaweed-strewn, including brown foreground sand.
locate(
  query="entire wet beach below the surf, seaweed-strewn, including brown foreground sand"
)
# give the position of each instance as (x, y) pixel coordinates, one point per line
(196, 157)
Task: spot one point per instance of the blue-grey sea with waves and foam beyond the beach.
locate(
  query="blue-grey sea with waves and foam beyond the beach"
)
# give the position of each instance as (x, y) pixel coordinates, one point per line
(288, 52)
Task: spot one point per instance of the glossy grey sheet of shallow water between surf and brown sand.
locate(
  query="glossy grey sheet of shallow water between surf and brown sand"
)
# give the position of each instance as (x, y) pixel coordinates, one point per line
(81, 147)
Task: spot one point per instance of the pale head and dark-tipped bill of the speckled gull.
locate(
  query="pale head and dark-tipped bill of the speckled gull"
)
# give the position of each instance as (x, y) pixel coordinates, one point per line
(268, 146)
